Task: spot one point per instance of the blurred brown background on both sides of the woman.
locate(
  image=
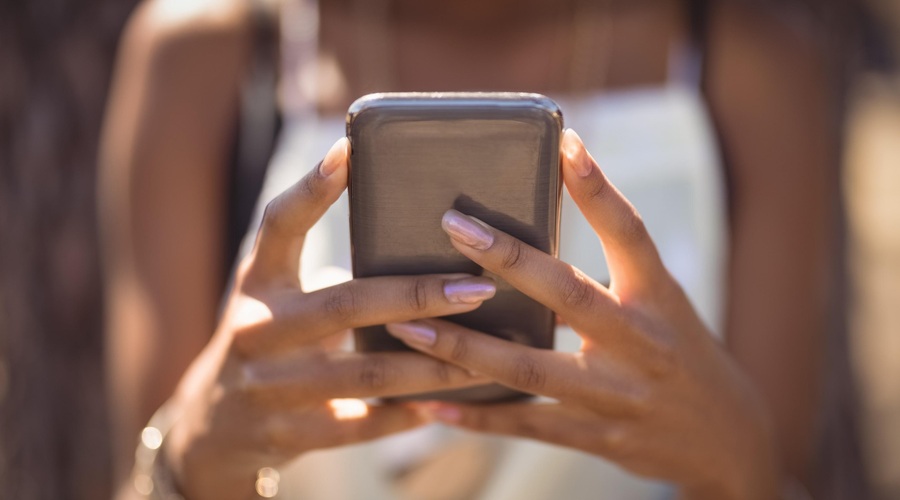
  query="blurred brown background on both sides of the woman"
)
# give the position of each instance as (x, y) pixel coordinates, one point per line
(55, 63)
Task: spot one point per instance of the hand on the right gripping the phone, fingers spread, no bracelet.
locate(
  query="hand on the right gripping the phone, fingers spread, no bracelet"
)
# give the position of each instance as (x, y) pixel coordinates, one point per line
(650, 388)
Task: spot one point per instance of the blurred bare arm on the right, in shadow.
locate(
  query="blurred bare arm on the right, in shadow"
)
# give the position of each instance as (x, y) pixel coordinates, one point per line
(773, 100)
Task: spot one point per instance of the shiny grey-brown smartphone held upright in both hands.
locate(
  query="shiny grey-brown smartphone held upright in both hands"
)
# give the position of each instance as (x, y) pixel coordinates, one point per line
(494, 156)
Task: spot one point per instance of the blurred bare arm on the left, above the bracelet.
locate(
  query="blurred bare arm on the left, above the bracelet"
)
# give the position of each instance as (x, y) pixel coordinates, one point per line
(166, 135)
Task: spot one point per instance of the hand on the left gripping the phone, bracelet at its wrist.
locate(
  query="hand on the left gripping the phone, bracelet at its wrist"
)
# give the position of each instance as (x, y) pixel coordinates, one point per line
(263, 390)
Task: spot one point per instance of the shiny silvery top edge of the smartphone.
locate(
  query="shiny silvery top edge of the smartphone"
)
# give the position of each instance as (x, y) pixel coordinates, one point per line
(413, 99)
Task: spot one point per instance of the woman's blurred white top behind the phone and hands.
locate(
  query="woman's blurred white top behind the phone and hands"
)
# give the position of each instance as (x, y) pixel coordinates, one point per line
(655, 144)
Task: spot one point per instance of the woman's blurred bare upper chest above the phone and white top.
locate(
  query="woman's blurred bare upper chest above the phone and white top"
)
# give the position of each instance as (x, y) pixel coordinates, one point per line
(537, 46)
